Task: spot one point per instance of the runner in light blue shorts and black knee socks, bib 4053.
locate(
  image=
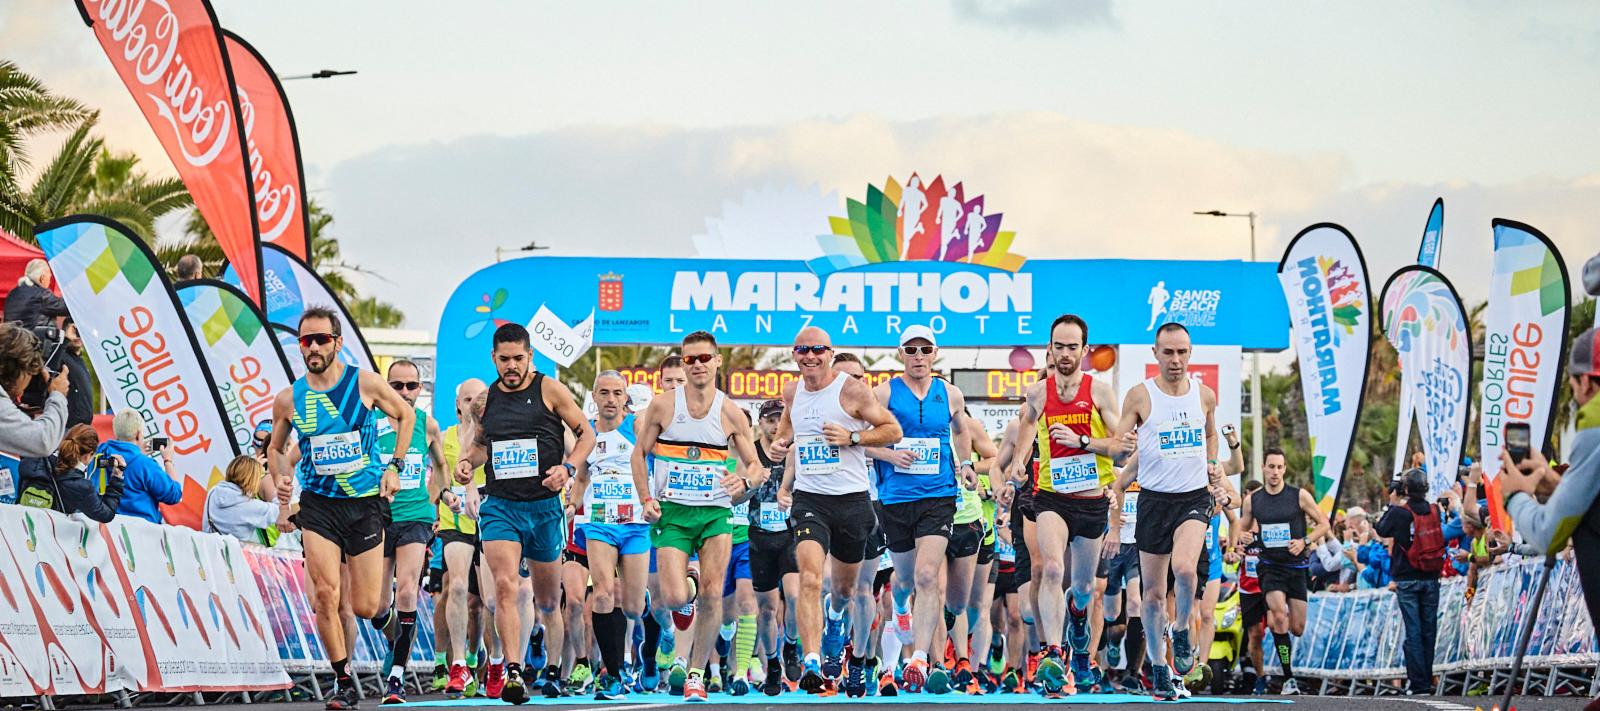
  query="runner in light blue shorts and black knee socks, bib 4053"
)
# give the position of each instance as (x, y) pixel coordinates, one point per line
(618, 539)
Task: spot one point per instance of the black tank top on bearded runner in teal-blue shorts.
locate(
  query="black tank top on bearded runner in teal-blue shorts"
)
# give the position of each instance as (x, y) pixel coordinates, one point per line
(524, 440)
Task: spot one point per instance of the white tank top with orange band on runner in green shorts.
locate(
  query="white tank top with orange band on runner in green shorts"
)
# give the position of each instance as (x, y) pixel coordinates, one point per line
(694, 480)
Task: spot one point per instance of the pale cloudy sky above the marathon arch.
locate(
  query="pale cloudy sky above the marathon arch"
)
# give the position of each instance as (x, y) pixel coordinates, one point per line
(1097, 127)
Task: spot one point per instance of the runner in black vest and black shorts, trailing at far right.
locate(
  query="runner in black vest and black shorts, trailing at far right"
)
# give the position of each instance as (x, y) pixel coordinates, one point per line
(1282, 513)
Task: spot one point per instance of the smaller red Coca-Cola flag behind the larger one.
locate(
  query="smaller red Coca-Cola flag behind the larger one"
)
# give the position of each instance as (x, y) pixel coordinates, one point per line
(271, 147)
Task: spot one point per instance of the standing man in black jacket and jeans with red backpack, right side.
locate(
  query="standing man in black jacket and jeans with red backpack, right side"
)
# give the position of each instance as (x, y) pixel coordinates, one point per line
(1417, 590)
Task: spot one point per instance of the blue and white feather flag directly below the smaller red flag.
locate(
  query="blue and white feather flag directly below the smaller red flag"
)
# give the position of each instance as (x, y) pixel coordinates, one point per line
(292, 289)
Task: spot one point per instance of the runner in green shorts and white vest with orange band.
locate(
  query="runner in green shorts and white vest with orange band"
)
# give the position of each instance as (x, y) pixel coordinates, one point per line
(700, 484)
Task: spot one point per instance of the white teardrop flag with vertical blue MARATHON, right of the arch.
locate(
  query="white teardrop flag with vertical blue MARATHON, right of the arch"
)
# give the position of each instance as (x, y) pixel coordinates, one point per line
(1324, 279)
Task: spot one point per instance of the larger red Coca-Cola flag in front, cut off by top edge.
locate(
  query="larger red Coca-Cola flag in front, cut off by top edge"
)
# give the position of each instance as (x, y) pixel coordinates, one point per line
(170, 57)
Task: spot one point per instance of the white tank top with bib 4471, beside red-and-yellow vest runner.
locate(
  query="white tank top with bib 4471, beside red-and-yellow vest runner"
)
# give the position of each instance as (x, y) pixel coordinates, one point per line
(1172, 443)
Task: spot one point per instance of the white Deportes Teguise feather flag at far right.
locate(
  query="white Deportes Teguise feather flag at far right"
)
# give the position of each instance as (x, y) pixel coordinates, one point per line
(1524, 347)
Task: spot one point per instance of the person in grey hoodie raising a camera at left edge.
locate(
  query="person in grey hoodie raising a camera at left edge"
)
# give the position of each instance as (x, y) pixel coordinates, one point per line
(20, 363)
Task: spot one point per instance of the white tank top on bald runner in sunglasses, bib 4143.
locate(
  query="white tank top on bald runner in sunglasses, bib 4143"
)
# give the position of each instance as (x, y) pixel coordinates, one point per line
(820, 467)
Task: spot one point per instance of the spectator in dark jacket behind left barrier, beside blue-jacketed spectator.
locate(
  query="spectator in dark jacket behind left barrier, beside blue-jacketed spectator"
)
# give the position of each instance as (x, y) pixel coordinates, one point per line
(62, 481)
